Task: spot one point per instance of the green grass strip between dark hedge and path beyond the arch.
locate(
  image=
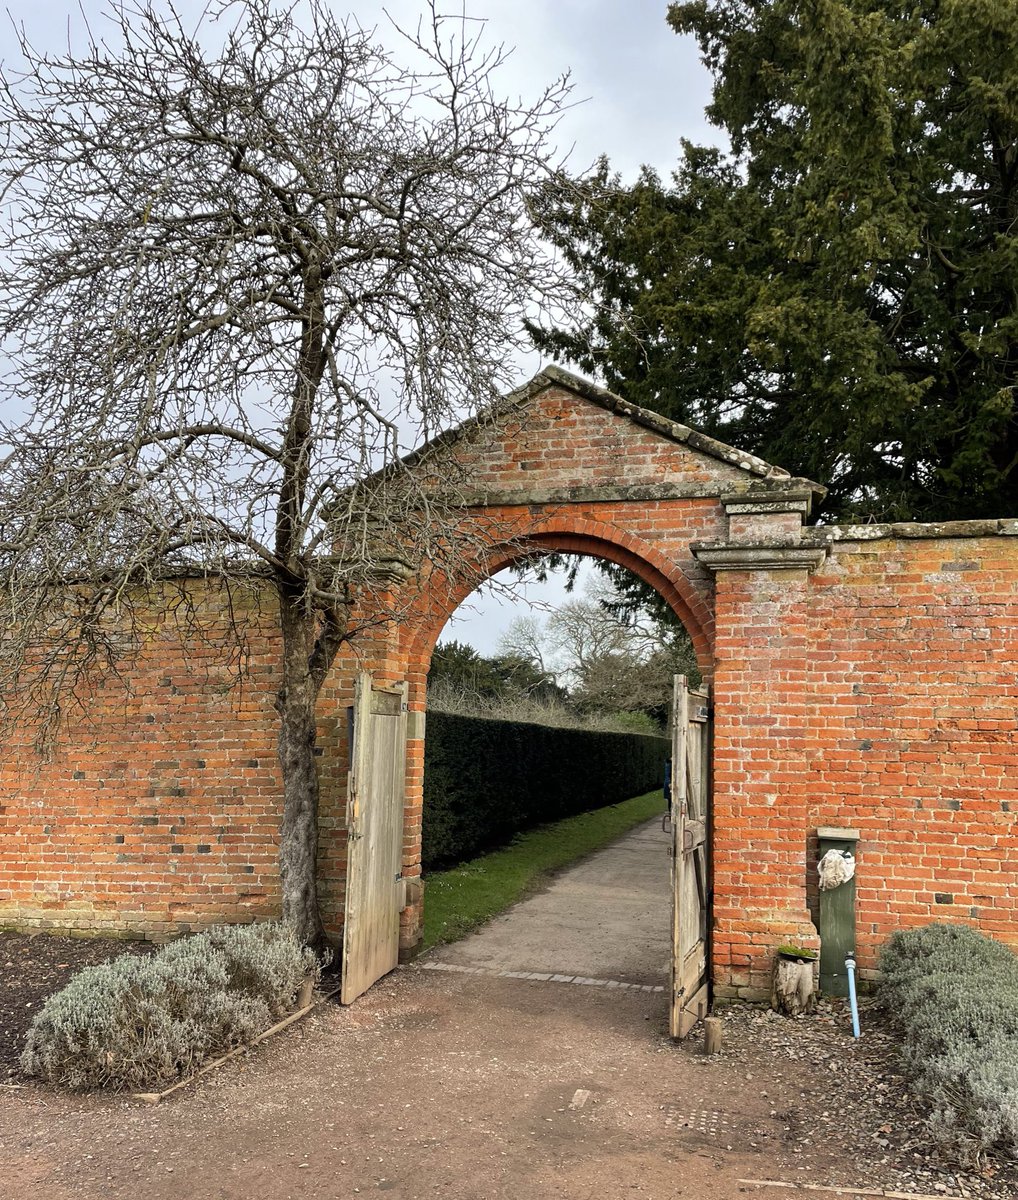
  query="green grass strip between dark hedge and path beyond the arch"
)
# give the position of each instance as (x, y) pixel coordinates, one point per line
(468, 896)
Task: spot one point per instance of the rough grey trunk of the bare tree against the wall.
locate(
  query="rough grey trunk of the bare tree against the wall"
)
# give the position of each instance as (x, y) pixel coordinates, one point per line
(297, 740)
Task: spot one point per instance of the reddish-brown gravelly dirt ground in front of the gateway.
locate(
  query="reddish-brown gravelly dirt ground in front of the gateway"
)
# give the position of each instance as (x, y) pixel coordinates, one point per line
(472, 1087)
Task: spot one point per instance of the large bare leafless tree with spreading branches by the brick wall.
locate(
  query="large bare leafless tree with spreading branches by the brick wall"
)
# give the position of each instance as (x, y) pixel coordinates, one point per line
(235, 285)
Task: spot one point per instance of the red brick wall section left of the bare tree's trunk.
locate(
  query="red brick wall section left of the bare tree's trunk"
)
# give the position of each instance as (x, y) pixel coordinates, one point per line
(159, 809)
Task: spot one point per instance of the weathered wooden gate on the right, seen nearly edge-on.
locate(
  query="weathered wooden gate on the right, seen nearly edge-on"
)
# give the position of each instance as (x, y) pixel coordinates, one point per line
(691, 877)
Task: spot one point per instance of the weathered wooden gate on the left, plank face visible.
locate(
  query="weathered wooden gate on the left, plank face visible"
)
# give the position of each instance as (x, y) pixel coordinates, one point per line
(375, 826)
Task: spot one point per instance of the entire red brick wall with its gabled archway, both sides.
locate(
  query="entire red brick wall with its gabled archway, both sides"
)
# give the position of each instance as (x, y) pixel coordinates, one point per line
(864, 679)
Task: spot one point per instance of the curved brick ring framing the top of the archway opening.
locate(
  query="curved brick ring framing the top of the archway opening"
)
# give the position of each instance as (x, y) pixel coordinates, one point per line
(592, 539)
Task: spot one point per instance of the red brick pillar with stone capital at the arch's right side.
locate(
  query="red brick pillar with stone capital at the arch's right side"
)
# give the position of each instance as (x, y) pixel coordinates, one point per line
(762, 778)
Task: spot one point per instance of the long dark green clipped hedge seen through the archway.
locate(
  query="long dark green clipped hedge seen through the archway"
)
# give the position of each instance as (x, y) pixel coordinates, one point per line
(486, 782)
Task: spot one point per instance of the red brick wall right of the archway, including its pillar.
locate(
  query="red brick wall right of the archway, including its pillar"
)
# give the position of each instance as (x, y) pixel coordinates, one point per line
(878, 694)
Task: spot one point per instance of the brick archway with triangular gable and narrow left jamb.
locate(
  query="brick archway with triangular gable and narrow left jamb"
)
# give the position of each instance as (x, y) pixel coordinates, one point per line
(571, 469)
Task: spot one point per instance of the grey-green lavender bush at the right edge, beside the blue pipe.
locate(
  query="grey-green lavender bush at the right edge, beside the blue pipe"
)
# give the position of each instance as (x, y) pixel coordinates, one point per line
(954, 995)
